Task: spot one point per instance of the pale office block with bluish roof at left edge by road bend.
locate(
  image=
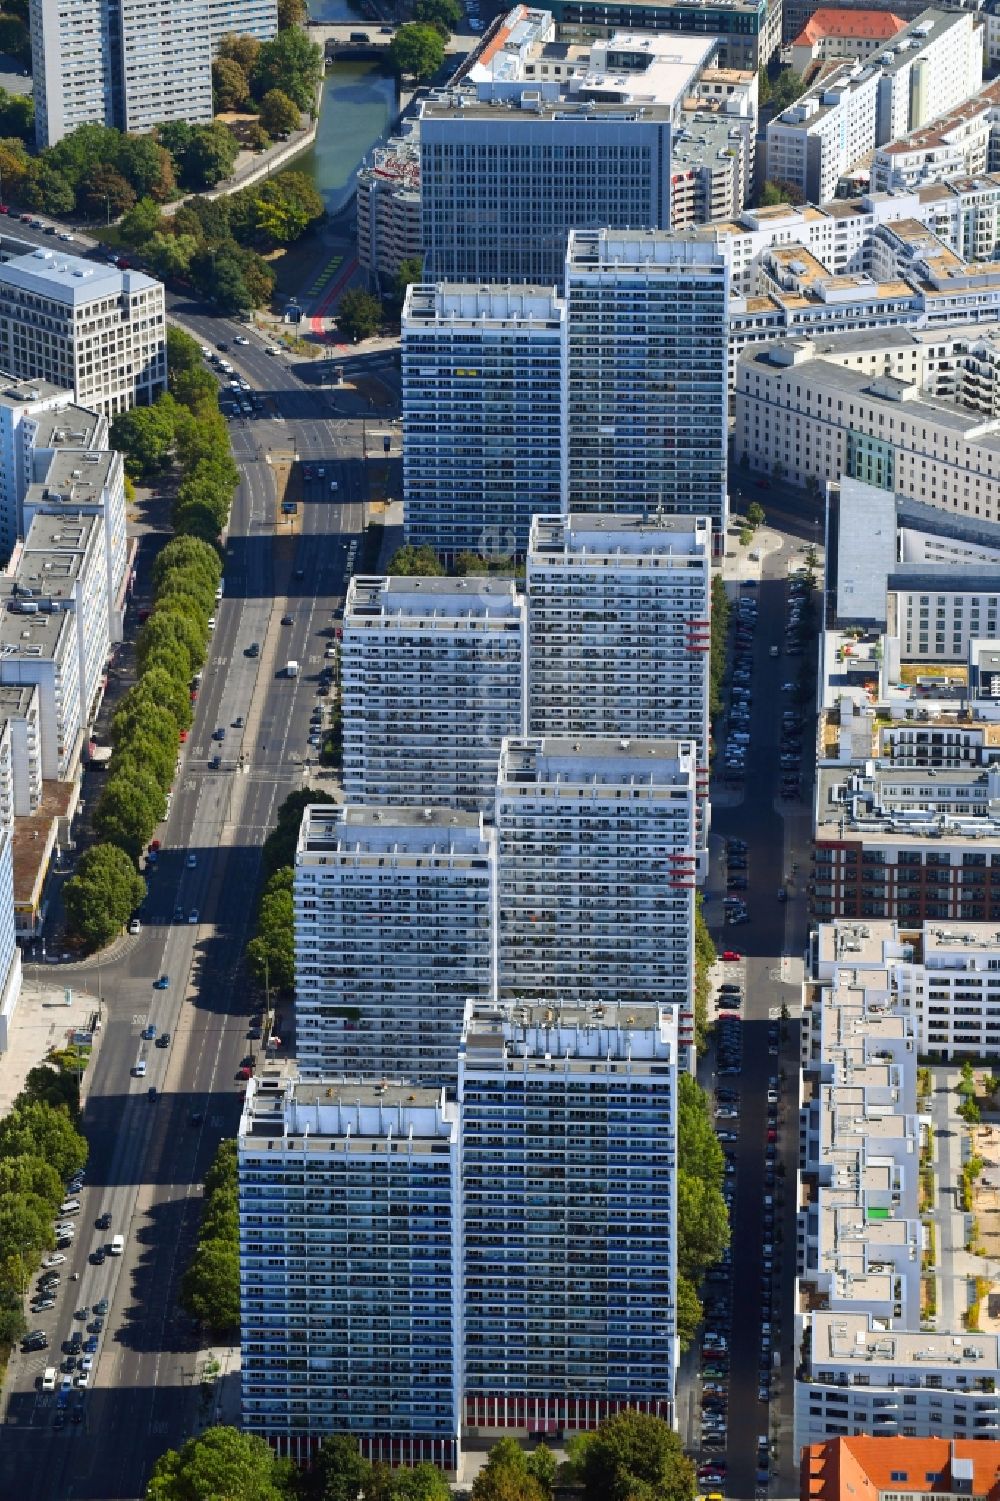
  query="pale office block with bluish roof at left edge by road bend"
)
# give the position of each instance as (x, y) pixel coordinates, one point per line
(92, 329)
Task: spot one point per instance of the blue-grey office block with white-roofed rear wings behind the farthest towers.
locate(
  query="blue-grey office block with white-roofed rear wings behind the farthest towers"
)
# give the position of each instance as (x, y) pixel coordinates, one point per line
(574, 145)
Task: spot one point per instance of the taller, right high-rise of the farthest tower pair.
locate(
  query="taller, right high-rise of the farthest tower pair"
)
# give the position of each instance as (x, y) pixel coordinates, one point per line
(646, 374)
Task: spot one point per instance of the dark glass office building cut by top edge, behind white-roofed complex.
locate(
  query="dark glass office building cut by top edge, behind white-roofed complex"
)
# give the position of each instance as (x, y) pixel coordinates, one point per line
(748, 32)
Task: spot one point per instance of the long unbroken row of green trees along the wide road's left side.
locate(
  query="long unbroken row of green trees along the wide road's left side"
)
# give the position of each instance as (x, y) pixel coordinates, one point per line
(187, 429)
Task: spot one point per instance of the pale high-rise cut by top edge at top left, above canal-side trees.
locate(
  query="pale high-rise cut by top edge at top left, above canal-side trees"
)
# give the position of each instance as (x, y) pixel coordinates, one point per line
(130, 65)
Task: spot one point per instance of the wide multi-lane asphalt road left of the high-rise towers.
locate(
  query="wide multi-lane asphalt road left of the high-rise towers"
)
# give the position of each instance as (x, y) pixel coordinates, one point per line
(146, 1155)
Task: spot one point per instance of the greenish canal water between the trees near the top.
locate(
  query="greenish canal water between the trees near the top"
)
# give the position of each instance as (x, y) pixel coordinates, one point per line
(360, 104)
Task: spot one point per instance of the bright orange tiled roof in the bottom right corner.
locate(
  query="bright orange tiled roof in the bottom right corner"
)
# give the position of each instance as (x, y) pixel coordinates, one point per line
(861, 1467)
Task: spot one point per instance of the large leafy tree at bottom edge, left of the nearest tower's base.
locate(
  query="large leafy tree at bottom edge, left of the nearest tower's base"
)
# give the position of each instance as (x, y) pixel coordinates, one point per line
(221, 1466)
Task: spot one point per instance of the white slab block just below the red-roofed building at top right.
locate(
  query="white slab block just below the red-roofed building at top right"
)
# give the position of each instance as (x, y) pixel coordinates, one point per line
(825, 133)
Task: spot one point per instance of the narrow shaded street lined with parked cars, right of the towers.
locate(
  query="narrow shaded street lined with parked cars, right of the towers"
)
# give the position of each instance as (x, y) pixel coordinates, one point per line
(774, 931)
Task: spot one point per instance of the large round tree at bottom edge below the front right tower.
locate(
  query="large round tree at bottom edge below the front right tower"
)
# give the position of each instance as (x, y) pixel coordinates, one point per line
(634, 1454)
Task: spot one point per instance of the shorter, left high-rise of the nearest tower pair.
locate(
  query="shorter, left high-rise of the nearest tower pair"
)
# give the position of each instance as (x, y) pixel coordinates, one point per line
(351, 1295)
